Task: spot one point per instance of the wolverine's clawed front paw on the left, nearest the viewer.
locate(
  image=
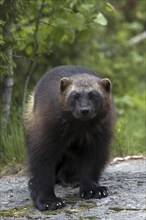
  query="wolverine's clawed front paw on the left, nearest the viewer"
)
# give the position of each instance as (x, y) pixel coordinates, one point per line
(49, 203)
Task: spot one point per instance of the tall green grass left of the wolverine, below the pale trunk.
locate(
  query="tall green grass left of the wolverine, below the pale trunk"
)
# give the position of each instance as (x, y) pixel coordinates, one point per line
(12, 147)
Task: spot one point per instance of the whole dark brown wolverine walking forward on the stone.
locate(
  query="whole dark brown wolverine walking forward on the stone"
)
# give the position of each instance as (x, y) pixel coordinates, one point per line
(68, 127)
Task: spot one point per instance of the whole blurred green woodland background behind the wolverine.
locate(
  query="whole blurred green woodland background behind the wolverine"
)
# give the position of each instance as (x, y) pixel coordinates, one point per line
(107, 36)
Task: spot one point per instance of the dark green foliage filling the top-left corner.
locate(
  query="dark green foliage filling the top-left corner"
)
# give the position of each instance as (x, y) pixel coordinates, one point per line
(10, 12)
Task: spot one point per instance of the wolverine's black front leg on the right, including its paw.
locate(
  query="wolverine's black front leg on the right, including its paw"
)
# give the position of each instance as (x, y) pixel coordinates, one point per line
(90, 170)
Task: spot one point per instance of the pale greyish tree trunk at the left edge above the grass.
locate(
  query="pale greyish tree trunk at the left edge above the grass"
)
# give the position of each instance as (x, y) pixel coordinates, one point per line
(8, 89)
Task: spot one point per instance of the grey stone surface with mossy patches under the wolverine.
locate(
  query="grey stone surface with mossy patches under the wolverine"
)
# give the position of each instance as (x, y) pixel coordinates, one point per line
(127, 200)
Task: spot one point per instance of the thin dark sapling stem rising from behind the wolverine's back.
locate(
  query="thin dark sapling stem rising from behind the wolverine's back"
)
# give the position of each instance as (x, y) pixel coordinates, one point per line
(31, 64)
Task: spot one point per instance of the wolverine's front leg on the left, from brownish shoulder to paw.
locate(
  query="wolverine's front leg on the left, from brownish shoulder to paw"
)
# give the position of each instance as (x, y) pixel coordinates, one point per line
(44, 154)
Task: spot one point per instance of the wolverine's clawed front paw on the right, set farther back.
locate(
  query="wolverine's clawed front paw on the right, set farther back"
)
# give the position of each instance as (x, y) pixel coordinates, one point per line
(97, 192)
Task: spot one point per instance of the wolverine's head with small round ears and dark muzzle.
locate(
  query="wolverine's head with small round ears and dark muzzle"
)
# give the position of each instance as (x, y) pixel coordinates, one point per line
(85, 96)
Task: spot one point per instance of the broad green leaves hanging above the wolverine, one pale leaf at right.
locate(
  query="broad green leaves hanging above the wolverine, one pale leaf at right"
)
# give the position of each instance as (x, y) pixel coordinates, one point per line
(59, 21)
